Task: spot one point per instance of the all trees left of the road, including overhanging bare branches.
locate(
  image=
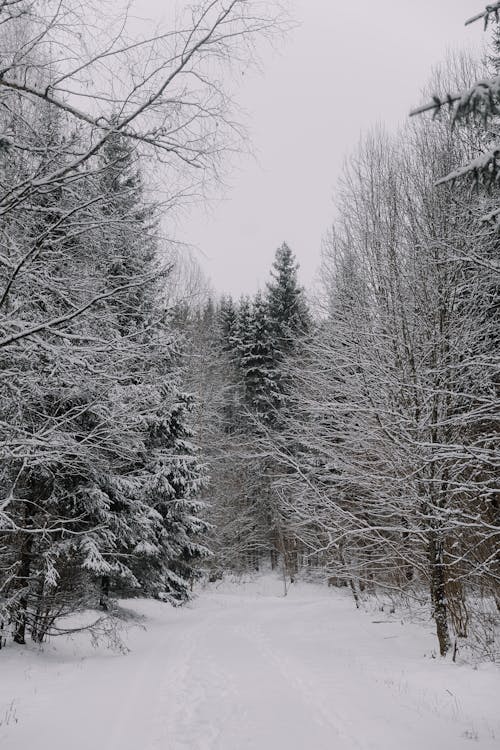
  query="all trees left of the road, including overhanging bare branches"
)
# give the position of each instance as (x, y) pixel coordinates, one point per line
(99, 480)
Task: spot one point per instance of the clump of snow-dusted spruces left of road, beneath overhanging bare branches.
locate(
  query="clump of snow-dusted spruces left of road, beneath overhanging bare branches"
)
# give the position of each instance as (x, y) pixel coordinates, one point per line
(93, 401)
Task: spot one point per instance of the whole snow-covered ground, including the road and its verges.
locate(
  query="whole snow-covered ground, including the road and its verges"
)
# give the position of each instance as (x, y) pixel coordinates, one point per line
(242, 668)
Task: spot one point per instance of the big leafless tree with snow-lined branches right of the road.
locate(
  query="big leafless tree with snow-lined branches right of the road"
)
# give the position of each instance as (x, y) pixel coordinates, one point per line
(393, 484)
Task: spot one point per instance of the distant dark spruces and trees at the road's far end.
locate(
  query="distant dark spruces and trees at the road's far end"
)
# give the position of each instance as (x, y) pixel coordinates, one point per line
(239, 367)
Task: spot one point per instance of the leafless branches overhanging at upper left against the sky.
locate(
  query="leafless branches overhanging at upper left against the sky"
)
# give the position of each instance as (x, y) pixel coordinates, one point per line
(164, 93)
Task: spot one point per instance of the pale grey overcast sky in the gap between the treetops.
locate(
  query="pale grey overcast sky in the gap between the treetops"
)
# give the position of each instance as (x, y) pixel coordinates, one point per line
(348, 66)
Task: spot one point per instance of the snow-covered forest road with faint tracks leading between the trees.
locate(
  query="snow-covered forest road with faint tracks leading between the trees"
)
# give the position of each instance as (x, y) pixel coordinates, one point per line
(265, 672)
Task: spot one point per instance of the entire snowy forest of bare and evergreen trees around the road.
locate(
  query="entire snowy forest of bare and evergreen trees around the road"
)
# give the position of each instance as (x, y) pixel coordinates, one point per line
(155, 434)
